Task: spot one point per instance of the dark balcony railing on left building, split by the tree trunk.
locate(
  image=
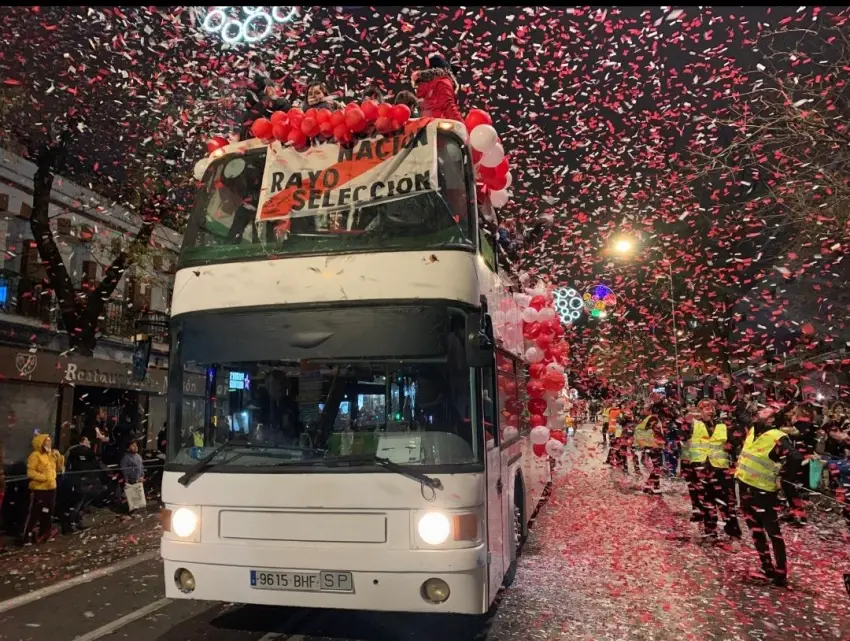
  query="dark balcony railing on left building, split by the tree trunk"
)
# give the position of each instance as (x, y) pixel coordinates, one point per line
(17, 296)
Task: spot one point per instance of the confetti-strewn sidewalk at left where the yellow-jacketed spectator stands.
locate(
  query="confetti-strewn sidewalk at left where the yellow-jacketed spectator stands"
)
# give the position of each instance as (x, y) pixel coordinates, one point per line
(111, 538)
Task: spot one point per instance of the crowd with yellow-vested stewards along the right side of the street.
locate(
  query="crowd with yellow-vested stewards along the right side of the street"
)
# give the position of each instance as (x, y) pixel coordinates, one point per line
(762, 462)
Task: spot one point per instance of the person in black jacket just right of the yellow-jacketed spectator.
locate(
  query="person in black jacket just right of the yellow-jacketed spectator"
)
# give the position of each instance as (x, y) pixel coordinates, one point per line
(82, 484)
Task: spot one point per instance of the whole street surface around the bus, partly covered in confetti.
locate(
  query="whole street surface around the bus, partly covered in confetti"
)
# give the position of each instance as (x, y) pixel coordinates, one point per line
(603, 562)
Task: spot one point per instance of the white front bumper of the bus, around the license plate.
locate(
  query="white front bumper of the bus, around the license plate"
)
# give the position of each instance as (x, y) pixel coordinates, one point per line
(398, 586)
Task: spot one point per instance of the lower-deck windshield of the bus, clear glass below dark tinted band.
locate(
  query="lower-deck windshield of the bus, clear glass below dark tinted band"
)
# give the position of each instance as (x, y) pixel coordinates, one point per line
(284, 412)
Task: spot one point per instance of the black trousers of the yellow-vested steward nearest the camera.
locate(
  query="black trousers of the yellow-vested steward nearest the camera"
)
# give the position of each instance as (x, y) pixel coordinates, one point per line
(761, 512)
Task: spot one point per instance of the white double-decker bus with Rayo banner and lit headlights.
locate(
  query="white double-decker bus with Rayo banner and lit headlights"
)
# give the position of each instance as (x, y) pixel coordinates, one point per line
(345, 427)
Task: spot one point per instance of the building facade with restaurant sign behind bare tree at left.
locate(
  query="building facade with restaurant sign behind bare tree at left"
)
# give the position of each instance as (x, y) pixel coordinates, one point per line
(44, 385)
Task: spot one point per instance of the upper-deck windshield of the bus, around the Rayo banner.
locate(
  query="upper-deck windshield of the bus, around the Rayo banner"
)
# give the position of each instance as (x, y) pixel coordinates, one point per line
(223, 225)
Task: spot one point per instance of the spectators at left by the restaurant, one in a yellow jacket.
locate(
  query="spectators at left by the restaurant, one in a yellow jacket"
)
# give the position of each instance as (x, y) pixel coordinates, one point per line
(62, 487)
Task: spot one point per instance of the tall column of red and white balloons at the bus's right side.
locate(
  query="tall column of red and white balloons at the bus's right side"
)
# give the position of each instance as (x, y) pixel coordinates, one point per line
(546, 352)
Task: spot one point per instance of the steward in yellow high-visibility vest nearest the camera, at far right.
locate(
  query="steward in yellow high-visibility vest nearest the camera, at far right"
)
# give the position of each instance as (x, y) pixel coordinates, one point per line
(767, 453)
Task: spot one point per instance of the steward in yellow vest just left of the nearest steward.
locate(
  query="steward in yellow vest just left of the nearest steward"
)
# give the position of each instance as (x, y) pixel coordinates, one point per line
(709, 454)
